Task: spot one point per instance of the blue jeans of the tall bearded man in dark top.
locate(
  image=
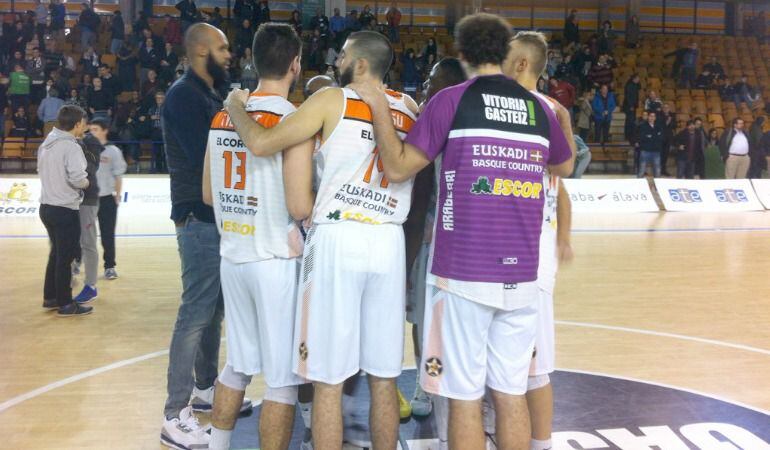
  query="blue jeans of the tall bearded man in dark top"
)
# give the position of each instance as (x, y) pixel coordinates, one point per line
(195, 342)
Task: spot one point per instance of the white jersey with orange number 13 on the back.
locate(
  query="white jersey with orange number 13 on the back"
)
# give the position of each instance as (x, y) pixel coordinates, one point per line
(249, 199)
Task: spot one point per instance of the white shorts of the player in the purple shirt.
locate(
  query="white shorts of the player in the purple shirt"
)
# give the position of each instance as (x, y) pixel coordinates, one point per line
(468, 346)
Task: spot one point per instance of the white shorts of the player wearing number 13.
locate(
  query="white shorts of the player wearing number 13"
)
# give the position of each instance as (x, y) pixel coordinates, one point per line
(260, 305)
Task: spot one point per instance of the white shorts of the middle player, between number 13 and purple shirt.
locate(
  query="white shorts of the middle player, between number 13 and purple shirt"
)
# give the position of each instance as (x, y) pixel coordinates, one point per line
(351, 302)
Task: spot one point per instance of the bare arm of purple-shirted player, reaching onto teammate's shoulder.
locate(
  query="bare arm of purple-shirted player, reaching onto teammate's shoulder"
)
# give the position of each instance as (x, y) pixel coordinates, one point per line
(401, 161)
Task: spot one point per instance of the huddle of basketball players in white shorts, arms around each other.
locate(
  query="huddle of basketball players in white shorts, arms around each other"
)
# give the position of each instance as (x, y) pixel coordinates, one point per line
(311, 202)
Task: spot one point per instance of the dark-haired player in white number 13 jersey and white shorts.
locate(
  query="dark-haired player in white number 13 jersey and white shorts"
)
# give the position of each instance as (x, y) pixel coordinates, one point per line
(256, 201)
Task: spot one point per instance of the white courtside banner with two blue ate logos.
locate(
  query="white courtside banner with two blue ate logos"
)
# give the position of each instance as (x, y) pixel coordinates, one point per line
(707, 195)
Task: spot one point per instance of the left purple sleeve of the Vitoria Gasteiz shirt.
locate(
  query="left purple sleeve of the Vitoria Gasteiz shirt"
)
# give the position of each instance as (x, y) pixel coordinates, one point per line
(431, 131)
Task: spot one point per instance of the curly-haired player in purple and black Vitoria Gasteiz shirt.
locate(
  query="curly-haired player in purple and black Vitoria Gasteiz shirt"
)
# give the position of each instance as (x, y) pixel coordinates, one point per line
(495, 139)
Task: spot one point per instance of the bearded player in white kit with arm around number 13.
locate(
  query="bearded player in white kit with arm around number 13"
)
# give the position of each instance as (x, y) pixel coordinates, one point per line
(353, 275)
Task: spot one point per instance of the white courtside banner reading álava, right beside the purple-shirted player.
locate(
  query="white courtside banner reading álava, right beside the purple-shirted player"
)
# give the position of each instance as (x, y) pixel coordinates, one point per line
(610, 195)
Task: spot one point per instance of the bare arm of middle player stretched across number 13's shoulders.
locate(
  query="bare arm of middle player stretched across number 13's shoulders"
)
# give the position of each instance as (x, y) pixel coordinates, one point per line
(321, 109)
